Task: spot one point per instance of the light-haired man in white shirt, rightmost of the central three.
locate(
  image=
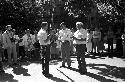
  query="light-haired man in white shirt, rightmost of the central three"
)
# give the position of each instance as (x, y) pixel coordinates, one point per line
(80, 40)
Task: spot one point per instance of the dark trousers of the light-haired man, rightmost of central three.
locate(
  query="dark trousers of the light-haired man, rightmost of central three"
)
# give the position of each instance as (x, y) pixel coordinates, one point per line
(81, 49)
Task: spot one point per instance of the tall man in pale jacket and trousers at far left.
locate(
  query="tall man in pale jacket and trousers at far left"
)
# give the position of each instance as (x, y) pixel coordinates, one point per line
(9, 44)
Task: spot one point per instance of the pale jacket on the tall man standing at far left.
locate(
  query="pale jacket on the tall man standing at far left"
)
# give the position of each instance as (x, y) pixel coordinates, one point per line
(6, 40)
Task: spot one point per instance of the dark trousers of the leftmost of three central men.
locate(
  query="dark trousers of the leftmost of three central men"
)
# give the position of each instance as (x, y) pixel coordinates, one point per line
(46, 58)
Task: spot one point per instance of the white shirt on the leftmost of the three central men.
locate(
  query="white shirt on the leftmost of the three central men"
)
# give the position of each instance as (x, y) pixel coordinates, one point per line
(42, 35)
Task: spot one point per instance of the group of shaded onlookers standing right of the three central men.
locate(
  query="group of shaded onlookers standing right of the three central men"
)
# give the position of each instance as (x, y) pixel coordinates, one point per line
(96, 40)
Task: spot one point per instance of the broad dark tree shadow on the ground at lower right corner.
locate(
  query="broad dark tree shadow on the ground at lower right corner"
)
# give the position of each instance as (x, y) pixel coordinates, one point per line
(109, 71)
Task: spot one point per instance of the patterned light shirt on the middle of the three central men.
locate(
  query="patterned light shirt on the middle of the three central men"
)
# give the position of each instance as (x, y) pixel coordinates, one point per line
(65, 35)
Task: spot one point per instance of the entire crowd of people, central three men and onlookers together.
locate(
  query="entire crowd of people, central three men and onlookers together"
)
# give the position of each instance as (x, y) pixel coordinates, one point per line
(45, 45)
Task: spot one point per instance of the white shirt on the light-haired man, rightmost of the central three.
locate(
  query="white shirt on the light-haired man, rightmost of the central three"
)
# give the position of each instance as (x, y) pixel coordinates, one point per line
(82, 33)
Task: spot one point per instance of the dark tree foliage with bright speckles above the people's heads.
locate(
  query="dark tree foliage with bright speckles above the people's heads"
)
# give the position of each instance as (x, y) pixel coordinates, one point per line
(22, 14)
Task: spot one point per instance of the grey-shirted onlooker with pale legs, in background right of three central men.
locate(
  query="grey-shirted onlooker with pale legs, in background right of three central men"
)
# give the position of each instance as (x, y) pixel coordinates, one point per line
(96, 39)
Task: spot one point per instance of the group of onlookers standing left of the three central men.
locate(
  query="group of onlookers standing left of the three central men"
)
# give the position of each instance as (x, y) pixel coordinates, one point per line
(13, 46)
